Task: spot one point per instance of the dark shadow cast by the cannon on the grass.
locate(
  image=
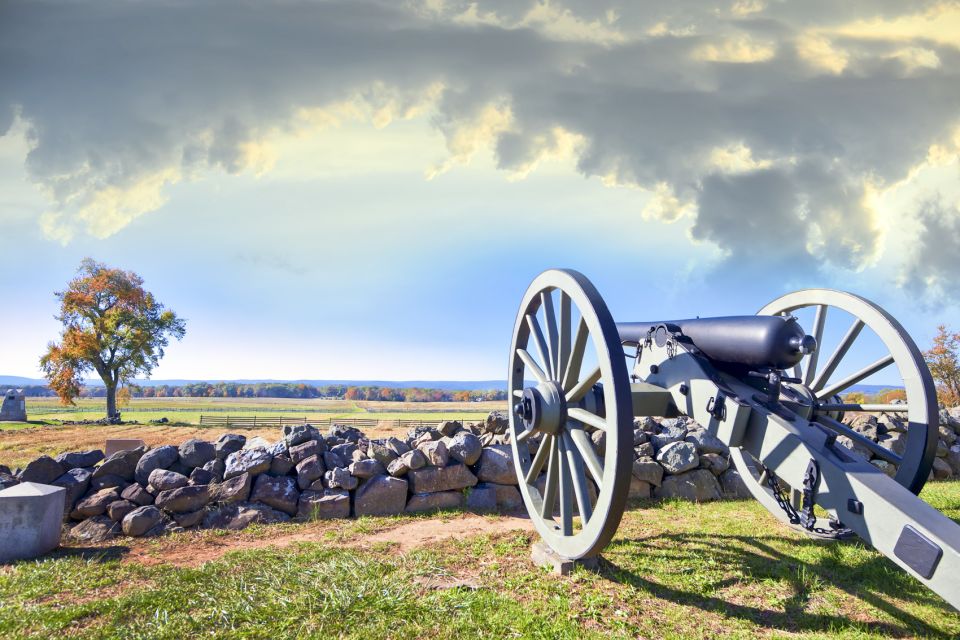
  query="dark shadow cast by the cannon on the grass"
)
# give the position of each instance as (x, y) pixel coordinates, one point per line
(876, 581)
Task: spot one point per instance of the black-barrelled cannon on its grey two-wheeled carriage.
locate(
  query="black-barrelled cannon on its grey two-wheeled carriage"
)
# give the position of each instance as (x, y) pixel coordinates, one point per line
(760, 384)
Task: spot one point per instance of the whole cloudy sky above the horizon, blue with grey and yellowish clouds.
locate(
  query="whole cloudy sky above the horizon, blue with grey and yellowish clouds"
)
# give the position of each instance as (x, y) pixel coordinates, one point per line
(364, 190)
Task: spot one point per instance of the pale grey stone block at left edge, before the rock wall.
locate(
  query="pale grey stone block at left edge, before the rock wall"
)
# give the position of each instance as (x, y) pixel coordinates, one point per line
(30, 517)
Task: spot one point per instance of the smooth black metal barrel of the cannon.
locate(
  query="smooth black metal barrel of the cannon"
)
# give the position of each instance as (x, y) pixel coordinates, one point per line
(755, 341)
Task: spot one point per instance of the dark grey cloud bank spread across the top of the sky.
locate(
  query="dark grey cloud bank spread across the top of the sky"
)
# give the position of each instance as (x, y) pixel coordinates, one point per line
(121, 98)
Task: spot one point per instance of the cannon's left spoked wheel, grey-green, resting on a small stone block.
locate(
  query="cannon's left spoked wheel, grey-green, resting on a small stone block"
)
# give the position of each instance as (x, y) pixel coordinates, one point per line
(581, 402)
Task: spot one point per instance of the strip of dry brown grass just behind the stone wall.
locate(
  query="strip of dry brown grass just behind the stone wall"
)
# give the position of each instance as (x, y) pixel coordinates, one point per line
(17, 447)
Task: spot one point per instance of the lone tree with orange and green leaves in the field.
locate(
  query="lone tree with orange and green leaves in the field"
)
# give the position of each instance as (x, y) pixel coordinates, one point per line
(111, 325)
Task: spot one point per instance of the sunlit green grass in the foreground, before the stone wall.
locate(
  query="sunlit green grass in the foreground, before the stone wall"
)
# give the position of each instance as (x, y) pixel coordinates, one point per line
(675, 570)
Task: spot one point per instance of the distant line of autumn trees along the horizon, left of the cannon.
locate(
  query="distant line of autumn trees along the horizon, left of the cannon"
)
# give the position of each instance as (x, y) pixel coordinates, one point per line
(287, 390)
